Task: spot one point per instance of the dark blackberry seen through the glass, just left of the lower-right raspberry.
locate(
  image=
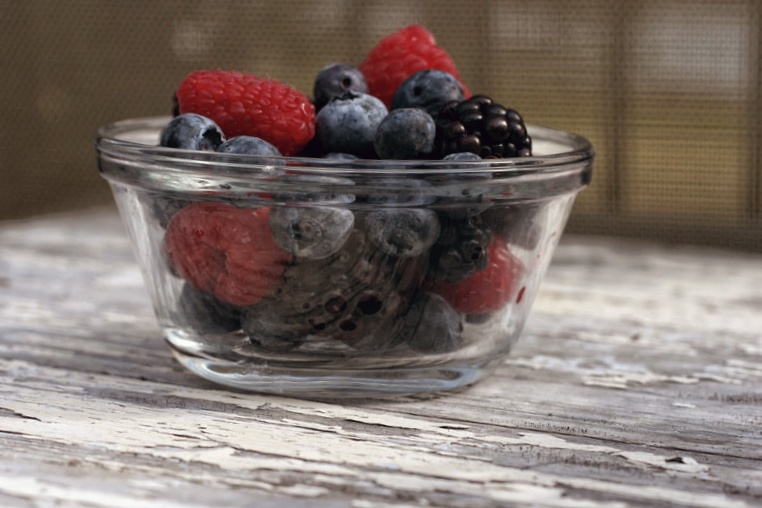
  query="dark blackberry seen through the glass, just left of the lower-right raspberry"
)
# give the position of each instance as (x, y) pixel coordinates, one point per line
(461, 248)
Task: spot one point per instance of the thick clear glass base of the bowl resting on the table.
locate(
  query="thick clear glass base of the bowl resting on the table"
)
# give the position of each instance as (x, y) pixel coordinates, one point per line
(266, 377)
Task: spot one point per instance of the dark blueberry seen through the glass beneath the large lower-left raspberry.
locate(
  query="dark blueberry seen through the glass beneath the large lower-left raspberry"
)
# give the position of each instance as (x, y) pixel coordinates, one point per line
(204, 313)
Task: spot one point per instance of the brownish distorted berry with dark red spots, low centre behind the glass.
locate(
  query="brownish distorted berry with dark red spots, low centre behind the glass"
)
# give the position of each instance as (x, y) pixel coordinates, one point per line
(354, 296)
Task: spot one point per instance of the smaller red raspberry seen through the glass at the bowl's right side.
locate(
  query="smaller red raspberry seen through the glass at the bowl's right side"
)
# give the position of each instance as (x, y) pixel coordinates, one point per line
(489, 289)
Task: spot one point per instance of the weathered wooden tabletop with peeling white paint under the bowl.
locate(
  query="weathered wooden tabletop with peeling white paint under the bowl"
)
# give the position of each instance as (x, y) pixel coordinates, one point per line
(638, 382)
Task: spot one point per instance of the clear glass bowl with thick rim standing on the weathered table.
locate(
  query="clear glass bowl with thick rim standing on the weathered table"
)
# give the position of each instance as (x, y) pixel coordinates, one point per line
(332, 278)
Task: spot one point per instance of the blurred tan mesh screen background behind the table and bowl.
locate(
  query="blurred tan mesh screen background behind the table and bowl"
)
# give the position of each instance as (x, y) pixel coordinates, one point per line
(668, 91)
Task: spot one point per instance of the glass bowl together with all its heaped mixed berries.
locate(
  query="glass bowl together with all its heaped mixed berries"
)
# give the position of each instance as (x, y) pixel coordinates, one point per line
(387, 236)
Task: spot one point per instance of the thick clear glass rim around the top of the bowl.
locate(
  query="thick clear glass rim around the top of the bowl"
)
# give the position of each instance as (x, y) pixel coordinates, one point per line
(111, 140)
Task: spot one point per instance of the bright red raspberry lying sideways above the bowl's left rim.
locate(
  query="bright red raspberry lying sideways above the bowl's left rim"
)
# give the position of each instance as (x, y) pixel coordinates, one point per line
(243, 104)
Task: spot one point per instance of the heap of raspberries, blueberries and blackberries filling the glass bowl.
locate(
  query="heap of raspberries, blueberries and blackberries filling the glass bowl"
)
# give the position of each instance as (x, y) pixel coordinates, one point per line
(393, 273)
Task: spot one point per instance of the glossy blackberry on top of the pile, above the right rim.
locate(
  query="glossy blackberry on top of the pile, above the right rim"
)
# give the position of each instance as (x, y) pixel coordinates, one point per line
(483, 127)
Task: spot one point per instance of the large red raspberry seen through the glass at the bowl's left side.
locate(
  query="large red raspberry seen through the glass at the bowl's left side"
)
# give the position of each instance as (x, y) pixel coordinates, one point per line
(225, 251)
